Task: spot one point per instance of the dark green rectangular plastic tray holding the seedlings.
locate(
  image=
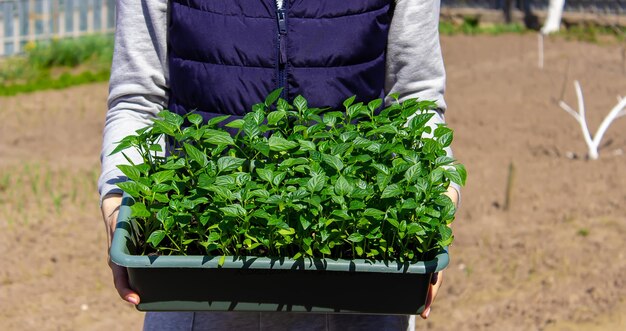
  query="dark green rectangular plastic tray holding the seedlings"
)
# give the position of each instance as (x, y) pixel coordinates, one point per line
(197, 283)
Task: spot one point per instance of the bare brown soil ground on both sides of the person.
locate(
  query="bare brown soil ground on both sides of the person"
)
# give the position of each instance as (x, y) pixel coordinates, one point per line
(553, 261)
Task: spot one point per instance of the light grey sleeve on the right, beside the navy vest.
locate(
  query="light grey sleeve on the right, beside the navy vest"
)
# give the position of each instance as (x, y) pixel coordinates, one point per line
(415, 67)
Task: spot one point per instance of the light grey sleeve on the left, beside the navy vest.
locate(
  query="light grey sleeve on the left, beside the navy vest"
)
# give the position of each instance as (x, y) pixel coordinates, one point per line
(138, 87)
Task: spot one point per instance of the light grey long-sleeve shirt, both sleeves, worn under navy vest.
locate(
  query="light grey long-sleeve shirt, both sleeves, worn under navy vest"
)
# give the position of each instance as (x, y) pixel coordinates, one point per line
(139, 74)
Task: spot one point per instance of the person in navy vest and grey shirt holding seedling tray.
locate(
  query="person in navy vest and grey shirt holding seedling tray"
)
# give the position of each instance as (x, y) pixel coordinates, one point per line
(217, 57)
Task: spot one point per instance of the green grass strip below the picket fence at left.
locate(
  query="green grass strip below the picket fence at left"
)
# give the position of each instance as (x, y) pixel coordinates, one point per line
(57, 64)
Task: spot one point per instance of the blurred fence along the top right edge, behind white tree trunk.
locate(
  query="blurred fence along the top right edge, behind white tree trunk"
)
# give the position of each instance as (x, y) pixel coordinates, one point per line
(614, 7)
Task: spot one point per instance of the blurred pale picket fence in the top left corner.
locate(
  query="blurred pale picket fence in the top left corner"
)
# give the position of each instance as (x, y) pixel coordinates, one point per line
(23, 21)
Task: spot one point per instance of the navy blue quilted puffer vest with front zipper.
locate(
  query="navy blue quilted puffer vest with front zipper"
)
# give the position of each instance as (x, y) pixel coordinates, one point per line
(226, 55)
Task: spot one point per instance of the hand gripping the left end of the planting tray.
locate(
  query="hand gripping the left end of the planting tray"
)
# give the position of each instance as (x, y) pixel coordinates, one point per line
(110, 208)
